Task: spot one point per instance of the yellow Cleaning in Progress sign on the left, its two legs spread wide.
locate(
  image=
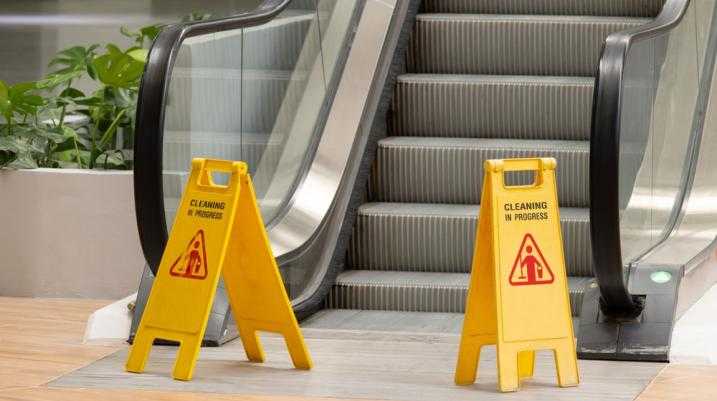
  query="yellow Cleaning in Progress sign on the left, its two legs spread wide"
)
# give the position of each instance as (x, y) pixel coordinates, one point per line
(218, 230)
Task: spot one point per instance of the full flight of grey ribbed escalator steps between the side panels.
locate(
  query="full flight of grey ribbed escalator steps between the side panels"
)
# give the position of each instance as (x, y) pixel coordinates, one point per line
(485, 79)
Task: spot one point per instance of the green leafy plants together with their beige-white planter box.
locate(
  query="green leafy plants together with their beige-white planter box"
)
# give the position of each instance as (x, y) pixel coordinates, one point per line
(66, 196)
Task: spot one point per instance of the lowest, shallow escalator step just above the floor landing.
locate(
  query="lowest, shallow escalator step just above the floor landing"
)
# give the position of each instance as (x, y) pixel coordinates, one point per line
(415, 292)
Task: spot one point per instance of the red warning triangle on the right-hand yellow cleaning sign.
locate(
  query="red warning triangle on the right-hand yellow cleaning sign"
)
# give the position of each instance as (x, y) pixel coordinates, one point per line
(530, 267)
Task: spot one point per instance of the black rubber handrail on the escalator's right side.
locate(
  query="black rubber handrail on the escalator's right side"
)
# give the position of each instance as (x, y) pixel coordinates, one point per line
(616, 300)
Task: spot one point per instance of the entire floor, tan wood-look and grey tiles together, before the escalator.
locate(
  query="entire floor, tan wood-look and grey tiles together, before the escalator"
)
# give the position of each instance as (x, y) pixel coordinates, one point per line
(40, 340)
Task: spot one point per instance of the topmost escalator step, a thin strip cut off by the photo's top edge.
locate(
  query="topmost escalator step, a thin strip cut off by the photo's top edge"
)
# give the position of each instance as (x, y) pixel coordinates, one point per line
(626, 8)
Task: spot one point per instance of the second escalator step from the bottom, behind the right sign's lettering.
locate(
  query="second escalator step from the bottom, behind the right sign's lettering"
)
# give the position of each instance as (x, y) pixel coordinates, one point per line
(440, 238)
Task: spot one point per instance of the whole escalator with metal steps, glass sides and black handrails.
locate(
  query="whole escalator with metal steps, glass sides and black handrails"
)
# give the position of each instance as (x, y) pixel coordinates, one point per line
(366, 124)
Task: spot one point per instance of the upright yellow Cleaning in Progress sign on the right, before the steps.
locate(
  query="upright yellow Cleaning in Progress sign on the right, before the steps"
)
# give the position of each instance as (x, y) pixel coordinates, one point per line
(518, 297)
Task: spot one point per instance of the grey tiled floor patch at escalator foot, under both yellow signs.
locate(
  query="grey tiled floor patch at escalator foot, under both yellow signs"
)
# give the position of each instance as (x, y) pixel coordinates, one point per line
(348, 364)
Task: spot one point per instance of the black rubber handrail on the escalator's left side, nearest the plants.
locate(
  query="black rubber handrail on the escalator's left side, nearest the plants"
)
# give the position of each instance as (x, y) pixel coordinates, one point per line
(148, 188)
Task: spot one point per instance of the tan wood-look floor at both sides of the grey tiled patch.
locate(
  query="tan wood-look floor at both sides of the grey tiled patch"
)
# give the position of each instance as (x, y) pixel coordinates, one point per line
(41, 340)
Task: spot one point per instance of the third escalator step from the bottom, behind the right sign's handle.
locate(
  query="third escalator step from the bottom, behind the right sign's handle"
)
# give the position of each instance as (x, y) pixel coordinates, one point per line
(450, 170)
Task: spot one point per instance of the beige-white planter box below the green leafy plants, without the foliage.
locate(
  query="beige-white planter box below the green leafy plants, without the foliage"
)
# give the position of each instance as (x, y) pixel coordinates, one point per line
(68, 233)
